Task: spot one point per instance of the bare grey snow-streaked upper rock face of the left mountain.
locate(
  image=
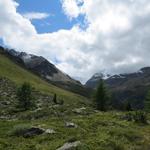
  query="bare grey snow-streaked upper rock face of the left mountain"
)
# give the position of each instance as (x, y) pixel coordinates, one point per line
(39, 65)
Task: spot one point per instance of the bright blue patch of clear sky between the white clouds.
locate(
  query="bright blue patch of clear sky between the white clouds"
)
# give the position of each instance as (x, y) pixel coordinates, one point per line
(57, 19)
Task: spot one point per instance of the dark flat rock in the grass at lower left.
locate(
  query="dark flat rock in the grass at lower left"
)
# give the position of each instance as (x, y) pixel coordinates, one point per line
(33, 132)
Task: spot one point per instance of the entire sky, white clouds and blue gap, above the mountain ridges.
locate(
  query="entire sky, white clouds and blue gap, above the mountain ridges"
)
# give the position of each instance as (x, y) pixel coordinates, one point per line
(81, 37)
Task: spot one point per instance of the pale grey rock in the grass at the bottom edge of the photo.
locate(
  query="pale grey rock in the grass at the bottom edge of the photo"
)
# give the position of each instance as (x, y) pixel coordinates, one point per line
(69, 146)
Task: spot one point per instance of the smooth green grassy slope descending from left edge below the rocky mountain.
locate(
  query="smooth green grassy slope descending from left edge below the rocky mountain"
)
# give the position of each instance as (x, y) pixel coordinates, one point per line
(19, 75)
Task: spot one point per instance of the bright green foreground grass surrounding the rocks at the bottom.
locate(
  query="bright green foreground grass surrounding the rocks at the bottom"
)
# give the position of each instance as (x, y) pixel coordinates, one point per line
(98, 131)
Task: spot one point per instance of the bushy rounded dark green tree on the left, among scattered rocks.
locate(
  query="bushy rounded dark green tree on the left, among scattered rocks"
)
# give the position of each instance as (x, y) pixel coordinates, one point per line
(24, 96)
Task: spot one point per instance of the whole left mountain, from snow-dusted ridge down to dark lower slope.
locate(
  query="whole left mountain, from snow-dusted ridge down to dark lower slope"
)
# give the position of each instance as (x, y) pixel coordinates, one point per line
(47, 71)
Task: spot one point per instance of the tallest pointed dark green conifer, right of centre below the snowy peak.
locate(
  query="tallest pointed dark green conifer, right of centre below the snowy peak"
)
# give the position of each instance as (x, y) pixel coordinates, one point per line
(101, 96)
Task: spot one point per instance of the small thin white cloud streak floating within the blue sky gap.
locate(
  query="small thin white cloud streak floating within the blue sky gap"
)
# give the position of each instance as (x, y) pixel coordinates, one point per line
(35, 15)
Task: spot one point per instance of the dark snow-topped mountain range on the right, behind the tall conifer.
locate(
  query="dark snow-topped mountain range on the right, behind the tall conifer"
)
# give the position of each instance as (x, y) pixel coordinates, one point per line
(132, 86)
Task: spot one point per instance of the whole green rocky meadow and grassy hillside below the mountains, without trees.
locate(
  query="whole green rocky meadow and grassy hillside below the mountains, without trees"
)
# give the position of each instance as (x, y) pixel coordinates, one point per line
(73, 124)
